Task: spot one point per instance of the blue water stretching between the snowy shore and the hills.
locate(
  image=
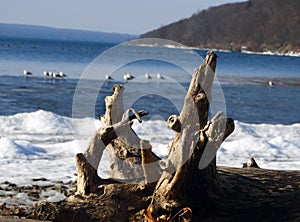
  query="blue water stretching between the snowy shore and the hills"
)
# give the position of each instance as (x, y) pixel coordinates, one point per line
(244, 79)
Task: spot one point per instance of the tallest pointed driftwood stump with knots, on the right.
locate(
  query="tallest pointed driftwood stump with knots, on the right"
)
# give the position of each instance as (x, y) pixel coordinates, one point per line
(191, 175)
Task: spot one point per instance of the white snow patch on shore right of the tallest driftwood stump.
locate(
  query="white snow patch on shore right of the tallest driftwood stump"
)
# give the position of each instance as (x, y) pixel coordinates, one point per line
(273, 146)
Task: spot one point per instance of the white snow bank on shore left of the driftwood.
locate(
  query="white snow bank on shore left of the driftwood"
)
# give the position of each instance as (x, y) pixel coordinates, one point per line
(39, 144)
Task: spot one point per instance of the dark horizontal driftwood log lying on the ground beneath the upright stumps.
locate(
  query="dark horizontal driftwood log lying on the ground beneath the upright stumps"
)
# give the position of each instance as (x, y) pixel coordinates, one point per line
(251, 194)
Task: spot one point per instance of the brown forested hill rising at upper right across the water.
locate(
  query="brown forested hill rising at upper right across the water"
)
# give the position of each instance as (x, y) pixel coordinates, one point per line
(255, 25)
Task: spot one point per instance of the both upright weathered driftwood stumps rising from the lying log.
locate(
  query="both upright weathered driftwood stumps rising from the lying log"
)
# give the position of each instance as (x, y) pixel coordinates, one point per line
(190, 167)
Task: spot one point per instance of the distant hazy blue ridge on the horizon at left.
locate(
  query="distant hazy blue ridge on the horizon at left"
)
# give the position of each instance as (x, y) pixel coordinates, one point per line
(43, 32)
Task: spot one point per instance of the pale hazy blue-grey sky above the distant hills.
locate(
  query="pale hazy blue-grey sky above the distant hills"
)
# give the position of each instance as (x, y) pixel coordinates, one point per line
(124, 16)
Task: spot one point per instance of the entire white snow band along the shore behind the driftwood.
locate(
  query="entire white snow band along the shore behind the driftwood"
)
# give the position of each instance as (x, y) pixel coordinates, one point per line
(43, 144)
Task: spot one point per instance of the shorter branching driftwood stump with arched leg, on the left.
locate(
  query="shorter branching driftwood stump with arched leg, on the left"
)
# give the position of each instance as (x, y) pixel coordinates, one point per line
(122, 144)
